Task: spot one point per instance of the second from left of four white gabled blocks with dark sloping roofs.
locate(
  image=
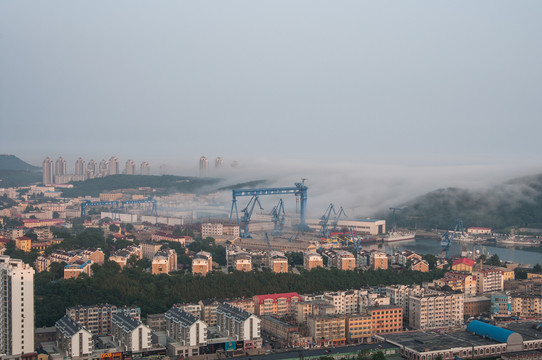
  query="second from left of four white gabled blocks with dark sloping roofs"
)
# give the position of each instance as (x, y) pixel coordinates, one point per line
(130, 333)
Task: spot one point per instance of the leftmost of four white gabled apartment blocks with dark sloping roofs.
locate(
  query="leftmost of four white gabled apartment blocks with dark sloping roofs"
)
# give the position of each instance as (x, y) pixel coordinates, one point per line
(72, 338)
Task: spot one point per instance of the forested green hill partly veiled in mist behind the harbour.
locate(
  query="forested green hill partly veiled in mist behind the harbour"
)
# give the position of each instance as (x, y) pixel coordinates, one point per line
(514, 203)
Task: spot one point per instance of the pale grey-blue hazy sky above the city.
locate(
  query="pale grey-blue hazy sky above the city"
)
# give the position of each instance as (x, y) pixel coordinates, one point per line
(395, 82)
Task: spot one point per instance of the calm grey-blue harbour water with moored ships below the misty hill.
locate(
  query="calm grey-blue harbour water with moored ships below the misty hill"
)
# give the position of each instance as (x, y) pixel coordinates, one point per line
(531, 255)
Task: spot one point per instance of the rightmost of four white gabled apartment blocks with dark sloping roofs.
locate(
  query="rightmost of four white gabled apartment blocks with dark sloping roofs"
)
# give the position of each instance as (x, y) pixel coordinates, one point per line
(238, 324)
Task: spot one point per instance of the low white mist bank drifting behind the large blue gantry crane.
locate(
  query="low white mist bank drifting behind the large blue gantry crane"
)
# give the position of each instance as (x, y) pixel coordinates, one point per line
(364, 189)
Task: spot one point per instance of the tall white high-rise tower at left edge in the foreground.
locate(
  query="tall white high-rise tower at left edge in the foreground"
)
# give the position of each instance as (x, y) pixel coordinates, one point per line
(16, 307)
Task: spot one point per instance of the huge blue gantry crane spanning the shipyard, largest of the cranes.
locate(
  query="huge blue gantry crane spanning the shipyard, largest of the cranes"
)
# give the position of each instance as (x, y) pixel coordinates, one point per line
(299, 190)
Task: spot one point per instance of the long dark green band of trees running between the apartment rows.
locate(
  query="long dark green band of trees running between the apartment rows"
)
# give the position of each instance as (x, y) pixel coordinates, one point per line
(157, 293)
